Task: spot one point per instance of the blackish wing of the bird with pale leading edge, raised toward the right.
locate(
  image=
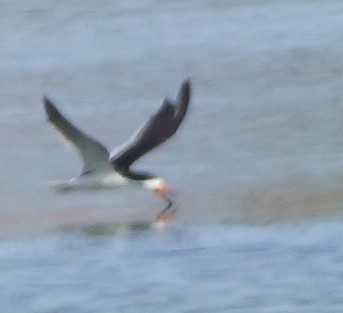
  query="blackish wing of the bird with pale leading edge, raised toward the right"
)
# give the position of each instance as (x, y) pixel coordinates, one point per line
(161, 126)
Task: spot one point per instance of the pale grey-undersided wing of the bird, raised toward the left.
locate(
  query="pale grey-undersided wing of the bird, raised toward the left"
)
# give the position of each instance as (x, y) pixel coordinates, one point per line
(95, 156)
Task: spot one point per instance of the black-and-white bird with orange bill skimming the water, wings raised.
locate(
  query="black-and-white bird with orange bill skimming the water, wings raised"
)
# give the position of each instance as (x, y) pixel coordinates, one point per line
(104, 170)
